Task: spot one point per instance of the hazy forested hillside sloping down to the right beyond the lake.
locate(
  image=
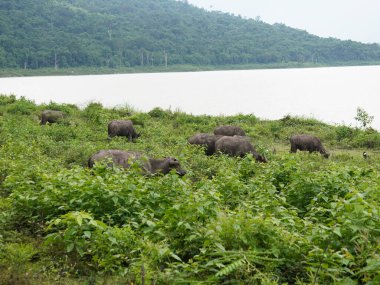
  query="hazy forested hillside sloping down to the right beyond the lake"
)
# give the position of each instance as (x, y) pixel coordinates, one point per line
(117, 33)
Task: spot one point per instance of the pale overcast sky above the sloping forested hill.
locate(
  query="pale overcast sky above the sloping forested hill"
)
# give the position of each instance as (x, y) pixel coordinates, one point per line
(357, 20)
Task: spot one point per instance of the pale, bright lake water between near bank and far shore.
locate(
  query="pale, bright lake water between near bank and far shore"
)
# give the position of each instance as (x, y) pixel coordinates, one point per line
(328, 94)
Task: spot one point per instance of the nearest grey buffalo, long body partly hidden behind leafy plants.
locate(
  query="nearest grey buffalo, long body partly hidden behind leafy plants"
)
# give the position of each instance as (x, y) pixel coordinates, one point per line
(149, 165)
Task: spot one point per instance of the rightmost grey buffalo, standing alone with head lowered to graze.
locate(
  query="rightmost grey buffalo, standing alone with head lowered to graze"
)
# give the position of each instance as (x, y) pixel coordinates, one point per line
(307, 143)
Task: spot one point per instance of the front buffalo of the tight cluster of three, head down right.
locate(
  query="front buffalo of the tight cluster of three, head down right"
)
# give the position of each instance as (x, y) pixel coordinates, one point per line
(237, 146)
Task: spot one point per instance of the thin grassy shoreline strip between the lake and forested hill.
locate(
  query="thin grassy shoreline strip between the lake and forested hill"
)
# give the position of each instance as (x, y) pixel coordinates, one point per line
(19, 72)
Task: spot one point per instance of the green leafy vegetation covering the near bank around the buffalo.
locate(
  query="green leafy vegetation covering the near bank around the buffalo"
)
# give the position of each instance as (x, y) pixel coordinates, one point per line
(298, 219)
